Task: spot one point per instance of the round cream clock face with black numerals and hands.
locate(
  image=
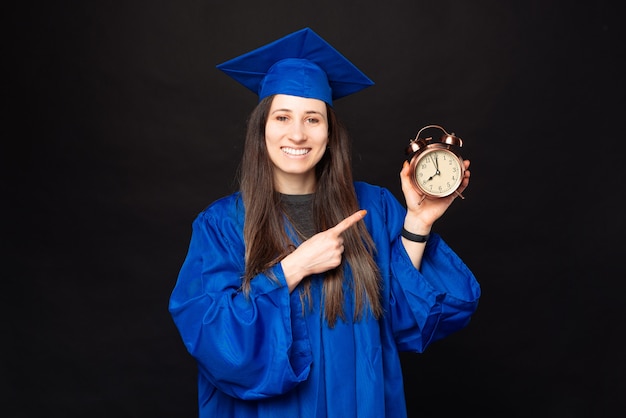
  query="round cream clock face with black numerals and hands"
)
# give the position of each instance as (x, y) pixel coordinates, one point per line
(438, 172)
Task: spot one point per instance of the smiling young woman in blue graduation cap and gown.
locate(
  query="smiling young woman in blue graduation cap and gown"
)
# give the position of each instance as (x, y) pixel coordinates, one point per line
(299, 291)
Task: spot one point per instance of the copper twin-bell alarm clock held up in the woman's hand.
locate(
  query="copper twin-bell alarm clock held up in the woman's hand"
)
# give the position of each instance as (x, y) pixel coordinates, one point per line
(436, 166)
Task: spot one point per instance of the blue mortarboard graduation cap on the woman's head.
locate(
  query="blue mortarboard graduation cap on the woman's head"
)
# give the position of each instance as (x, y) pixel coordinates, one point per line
(299, 64)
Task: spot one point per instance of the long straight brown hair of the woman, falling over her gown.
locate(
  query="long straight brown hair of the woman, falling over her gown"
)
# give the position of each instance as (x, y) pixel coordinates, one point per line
(265, 235)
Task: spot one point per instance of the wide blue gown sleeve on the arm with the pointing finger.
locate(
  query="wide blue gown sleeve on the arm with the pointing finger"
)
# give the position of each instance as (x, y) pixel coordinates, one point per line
(249, 347)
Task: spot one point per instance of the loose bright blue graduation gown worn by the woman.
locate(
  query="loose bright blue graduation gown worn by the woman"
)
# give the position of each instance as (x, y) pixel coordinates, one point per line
(264, 356)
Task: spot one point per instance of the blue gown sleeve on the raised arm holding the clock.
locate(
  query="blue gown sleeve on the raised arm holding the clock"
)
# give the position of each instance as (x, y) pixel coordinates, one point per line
(427, 304)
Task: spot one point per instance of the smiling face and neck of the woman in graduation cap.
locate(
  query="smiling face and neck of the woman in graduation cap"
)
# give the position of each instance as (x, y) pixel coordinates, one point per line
(296, 135)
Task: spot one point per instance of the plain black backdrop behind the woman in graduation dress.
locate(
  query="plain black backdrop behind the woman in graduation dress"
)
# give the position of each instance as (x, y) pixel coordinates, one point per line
(119, 130)
